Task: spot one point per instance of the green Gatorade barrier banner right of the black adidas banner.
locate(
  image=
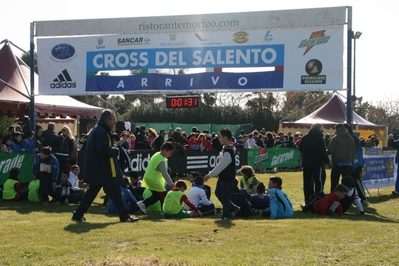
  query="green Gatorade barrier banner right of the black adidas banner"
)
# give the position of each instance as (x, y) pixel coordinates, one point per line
(271, 158)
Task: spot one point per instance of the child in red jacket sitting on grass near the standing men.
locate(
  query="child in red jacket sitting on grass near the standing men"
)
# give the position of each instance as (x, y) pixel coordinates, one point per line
(329, 204)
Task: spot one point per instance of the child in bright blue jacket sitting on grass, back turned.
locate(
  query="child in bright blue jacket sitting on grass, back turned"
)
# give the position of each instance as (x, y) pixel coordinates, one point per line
(280, 205)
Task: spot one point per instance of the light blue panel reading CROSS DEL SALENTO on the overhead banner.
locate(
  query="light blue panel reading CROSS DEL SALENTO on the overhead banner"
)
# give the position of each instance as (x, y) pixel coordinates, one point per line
(191, 57)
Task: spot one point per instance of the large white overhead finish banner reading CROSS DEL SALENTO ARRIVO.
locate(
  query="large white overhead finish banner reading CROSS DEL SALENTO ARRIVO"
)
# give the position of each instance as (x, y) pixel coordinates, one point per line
(287, 50)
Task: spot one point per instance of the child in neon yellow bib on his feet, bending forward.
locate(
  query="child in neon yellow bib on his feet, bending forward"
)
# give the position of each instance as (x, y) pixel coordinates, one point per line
(155, 176)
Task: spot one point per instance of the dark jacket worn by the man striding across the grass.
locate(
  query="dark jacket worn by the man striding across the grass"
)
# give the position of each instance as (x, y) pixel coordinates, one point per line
(101, 163)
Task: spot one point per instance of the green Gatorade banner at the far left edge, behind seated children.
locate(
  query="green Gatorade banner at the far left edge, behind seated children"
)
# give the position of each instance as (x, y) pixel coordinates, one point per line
(24, 161)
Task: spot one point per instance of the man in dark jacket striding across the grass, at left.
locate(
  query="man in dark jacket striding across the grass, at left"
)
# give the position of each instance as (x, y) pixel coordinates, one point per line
(102, 169)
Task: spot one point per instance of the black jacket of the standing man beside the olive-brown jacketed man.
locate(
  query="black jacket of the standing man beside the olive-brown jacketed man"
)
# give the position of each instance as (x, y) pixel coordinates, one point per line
(313, 150)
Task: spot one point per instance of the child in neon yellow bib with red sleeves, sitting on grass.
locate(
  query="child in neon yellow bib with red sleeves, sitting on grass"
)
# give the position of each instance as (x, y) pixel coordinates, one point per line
(174, 202)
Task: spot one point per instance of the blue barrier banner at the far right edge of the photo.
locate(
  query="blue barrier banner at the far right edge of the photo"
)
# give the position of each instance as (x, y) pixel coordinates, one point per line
(379, 171)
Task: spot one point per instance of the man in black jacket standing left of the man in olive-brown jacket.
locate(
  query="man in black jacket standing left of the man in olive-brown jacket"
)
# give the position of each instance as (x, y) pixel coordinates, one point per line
(314, 159)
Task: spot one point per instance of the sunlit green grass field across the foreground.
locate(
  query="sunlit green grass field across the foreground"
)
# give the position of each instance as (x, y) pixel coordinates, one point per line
(32, 234)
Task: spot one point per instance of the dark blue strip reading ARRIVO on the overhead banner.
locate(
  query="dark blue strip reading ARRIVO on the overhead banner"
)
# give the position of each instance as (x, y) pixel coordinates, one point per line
(200, 81)
